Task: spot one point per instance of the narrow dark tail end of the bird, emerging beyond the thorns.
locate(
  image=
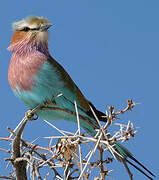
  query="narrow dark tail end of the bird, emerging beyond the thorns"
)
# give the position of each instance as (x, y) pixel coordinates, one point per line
(125, 153)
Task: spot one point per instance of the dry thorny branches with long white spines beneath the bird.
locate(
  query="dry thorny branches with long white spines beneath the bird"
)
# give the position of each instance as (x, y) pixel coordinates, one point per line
(70, 152)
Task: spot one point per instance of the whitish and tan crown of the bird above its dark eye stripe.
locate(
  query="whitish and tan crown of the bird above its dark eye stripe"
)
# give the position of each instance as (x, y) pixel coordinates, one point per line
(31, 22)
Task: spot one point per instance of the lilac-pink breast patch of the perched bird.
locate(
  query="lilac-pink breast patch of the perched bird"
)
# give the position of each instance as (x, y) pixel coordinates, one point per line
(23, 67)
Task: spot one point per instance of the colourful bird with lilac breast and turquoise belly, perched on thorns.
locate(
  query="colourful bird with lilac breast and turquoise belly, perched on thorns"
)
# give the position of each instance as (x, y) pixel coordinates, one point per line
(37, 78)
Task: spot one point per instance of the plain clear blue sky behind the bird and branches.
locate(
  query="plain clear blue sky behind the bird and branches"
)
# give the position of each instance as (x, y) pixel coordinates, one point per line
(110, 49)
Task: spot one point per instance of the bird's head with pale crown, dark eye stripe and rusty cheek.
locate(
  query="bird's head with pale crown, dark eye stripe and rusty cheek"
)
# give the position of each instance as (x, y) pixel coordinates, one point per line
(29, 32)
